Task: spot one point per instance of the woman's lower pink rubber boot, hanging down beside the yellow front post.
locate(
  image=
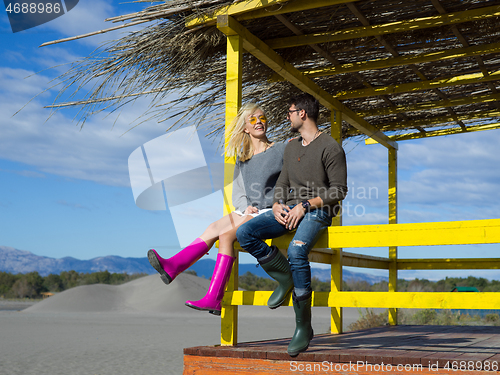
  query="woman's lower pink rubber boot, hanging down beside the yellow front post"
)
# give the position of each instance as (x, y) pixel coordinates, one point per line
(211, 301)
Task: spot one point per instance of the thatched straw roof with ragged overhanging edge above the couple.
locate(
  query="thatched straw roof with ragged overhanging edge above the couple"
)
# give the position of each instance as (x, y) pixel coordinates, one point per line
(437, 69)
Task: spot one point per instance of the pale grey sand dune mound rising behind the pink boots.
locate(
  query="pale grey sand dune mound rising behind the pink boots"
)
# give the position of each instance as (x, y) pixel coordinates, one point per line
(145, 295)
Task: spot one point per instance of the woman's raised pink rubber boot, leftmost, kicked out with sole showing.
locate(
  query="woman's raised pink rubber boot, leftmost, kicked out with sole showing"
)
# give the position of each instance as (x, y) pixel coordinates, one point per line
(171, 267)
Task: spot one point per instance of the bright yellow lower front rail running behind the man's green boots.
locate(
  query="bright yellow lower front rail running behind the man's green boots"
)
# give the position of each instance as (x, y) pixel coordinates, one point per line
(417, 300)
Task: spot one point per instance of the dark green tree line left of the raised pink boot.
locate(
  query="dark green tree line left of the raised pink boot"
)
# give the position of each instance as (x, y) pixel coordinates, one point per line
(32, 285)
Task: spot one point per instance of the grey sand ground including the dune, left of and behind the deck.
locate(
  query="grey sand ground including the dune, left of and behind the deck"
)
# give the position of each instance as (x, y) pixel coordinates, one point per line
(140, 327)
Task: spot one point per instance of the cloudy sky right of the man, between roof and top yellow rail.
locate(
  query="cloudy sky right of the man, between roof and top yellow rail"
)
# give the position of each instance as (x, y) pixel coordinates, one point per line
(439, 179)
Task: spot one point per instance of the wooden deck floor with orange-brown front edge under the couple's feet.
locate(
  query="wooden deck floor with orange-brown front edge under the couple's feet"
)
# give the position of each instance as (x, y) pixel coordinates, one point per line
(394, 349)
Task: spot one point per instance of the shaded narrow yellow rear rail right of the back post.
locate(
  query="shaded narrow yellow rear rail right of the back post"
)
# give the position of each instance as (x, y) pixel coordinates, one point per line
(449, 264)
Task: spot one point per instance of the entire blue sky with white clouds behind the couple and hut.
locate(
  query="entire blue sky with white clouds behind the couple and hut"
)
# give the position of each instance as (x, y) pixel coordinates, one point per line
(65, 191)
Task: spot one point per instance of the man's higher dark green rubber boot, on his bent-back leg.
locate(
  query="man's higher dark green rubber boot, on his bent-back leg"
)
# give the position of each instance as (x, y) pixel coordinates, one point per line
(277, 266)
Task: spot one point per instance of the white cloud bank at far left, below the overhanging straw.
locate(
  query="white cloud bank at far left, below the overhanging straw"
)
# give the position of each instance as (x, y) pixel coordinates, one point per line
(98, 152)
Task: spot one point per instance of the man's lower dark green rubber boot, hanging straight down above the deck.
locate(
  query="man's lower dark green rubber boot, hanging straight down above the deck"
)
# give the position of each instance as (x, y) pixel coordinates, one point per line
(303, 329)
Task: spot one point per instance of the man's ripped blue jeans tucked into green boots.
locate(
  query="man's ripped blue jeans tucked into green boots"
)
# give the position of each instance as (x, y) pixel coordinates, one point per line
(265, 226)
